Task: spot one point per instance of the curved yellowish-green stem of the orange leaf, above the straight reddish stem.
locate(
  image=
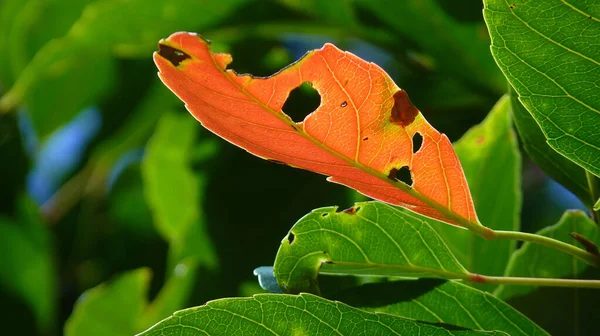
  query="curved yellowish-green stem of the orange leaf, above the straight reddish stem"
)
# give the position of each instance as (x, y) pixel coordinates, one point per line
(549, 242)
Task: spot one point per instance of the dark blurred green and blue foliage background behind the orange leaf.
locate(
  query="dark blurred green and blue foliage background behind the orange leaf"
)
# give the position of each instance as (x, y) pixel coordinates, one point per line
(101, 166)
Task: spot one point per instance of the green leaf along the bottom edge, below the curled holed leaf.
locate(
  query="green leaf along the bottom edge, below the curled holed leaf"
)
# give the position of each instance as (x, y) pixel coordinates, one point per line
(305, 314)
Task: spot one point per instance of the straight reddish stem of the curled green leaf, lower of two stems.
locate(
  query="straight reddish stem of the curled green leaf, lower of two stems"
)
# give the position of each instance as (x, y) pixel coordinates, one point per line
(499, 280)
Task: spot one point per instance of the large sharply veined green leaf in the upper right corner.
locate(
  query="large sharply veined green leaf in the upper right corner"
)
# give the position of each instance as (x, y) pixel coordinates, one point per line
(548, 52)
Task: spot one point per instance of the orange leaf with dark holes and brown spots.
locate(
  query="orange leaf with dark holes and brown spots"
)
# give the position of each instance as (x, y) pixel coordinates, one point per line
(361, 135)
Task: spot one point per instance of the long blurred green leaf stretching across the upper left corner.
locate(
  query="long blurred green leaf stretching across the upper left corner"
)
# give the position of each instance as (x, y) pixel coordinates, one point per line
(71, 72)
